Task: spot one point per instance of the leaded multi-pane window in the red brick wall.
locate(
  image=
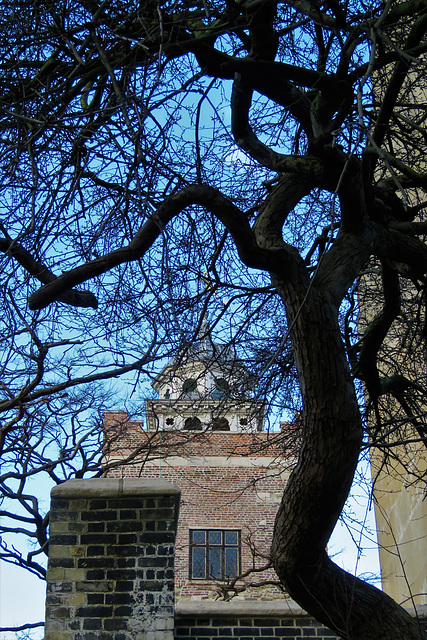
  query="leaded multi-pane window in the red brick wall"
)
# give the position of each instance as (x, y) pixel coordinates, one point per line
(214, 554)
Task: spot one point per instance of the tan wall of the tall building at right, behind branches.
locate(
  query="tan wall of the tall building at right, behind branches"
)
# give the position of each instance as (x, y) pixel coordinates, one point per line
(399, 460)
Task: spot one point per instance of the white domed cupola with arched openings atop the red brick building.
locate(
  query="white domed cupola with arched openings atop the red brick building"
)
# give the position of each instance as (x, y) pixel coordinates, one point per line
(205, 387)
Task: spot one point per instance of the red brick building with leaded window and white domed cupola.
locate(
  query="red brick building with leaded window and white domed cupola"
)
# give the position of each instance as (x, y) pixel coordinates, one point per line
(204, 432)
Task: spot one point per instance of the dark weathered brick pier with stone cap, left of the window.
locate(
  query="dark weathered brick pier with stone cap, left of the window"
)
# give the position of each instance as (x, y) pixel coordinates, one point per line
(111, 552)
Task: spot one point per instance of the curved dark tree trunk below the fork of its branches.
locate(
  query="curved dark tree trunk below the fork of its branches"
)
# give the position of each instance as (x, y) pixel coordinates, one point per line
(321, 481)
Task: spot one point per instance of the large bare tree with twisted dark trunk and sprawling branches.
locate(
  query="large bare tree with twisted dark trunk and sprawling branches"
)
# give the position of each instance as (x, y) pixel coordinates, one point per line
(254, 159)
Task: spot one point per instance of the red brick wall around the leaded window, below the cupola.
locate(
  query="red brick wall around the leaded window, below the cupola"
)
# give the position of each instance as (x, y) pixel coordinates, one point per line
(234, 483)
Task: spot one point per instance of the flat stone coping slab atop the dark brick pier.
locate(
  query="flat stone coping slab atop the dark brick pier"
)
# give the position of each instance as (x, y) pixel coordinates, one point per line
(114, 488)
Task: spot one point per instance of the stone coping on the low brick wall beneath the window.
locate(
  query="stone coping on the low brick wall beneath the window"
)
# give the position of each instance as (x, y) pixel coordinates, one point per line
(218, 608)
